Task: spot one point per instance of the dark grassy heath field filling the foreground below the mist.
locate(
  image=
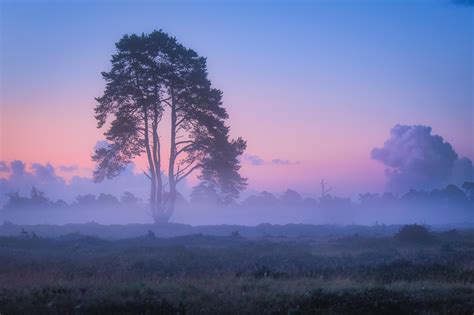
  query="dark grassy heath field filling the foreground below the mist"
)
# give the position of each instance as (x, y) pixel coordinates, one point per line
(412, 271)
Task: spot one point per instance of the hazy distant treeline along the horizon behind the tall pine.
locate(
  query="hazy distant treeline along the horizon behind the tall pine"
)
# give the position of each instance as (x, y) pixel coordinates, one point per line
(208, 197)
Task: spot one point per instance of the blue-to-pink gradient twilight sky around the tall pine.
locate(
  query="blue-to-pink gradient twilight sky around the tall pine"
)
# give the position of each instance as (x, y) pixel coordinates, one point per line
(313, 86)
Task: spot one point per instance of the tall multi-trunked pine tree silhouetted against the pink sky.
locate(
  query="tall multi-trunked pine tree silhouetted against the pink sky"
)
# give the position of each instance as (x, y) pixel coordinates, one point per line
(152, 74)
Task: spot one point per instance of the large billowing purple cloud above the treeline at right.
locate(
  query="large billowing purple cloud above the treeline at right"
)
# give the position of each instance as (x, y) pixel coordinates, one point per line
(417, 159)
